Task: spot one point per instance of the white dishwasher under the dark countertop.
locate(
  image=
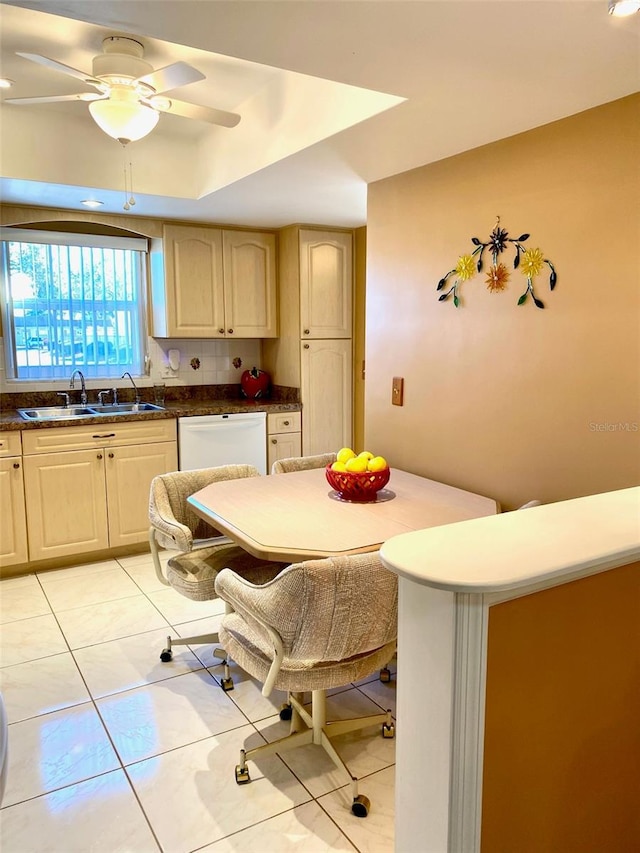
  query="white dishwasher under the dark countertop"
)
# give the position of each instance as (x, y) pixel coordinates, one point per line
(206, 441)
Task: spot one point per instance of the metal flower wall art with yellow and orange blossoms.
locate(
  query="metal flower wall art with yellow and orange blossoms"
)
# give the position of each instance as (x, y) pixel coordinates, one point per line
(530, 263)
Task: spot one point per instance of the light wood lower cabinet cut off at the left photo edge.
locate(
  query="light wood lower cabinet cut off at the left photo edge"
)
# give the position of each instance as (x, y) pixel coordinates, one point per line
(13, 518)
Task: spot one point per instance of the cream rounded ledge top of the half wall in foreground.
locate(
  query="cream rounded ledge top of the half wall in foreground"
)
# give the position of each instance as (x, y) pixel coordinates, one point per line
(542, 545)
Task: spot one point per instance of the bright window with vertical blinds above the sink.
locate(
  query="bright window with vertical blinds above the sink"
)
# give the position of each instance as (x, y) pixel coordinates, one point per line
(72, 300)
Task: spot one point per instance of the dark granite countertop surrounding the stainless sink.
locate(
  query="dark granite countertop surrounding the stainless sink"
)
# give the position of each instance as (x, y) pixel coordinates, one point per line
(179, 403)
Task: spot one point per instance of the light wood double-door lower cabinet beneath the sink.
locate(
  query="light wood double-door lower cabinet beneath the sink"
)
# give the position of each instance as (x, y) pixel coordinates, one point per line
(87, 488)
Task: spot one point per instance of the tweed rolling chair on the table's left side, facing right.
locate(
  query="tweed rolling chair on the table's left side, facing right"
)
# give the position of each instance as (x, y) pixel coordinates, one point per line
(202, 550)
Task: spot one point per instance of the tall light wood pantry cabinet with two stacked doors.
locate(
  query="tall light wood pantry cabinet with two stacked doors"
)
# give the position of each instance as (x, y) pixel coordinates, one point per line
(314, 350)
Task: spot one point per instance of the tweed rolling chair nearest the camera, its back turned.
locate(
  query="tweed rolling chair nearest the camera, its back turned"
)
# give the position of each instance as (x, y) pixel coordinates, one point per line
(319, 624)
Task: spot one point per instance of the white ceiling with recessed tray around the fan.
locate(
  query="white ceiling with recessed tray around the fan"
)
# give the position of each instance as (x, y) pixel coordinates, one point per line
(417, 81)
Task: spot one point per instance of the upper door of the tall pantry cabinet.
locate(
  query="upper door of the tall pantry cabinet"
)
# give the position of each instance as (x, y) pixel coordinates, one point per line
(326, 284)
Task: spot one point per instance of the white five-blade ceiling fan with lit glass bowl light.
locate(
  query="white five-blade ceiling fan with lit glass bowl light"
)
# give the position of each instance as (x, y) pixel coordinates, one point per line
(129, 96)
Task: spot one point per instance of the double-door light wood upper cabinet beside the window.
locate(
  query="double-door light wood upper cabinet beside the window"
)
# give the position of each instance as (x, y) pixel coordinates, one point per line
(210, 283)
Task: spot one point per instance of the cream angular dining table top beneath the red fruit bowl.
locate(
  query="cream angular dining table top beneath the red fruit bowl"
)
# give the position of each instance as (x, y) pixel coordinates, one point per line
(298, 516)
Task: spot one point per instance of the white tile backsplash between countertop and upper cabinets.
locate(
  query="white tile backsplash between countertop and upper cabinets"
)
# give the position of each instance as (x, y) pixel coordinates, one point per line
(201, 362)
